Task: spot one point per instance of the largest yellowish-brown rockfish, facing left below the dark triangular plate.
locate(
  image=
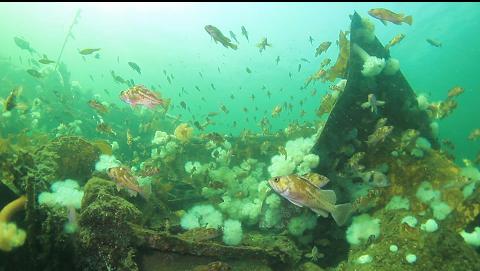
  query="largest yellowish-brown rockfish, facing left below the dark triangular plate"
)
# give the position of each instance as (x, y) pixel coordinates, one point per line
(306, 191)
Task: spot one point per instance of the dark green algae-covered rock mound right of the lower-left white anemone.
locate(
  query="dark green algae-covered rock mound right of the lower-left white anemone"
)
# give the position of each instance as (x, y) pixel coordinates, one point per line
(106, 240)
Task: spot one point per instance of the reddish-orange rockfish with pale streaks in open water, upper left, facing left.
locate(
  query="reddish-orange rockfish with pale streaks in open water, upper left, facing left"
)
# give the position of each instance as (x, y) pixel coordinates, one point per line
(139, 94)
